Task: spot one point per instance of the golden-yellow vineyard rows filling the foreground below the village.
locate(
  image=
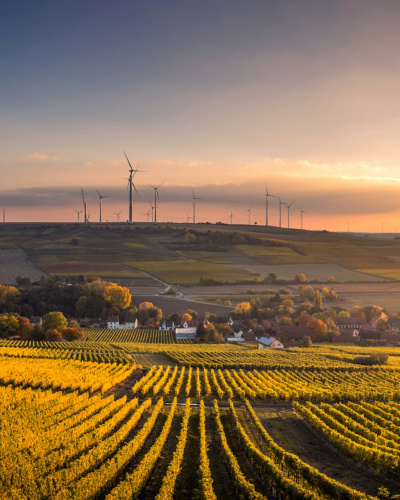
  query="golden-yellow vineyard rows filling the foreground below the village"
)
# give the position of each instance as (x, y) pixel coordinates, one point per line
(156, 424)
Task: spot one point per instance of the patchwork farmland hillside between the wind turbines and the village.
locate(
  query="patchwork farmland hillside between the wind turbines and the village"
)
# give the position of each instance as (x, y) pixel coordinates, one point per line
(123, 252)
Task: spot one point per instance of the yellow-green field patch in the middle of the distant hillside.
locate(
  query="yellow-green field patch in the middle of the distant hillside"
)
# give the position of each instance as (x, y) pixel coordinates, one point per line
(189, 272)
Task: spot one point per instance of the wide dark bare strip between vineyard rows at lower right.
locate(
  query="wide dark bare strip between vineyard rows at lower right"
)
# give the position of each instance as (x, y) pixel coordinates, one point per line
(291, 433)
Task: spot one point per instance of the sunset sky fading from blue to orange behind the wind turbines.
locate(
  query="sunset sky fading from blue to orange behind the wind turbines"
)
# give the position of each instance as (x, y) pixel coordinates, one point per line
(215, 97)
